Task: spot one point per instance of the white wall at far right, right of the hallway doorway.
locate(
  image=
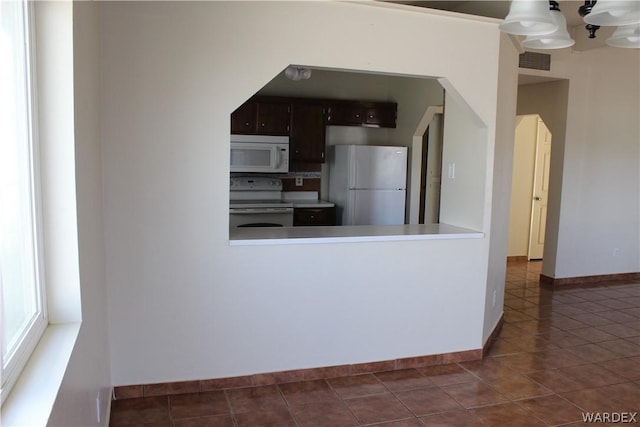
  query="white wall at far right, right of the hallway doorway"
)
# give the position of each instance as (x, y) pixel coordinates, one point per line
(598, 208)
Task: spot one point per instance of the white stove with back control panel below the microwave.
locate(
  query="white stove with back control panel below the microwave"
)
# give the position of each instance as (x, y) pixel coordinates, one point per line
(257, 202)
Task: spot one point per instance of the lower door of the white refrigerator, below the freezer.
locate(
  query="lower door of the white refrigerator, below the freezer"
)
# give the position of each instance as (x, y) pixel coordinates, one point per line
(375, 207)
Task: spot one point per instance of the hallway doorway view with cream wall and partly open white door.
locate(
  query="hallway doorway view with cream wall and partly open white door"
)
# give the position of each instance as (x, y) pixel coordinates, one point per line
(530, 188)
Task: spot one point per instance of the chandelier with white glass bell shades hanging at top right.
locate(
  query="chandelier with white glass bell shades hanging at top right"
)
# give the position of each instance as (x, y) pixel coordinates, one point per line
(545, 27)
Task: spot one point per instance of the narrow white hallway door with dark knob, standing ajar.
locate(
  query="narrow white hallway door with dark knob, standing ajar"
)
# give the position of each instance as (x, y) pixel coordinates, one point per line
(540, 192)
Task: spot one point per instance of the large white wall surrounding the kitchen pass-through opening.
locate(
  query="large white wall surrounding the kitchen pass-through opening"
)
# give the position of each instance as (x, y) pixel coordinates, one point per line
(182, 303)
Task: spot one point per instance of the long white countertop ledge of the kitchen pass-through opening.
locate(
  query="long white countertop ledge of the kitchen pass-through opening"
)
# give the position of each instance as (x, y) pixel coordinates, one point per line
(347, 234)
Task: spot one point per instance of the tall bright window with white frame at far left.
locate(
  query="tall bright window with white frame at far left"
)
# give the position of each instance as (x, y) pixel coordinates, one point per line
(21, 274)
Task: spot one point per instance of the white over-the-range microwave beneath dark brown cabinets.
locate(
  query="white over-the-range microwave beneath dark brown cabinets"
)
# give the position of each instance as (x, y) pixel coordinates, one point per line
(259, 153)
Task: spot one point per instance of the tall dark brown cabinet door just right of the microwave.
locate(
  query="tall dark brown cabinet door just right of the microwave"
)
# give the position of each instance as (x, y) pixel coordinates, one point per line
(307, 136)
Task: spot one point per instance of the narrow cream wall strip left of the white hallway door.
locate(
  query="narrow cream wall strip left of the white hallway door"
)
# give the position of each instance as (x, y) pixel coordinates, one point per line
(524, 157)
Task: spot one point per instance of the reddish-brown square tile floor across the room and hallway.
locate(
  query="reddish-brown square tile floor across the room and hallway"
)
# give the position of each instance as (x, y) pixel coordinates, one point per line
(560, 353)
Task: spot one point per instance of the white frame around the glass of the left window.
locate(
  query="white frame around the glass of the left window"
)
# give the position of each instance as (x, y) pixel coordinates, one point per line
(39, 322)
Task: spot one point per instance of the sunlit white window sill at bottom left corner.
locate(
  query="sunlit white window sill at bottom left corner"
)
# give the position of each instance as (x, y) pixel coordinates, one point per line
(32, 398)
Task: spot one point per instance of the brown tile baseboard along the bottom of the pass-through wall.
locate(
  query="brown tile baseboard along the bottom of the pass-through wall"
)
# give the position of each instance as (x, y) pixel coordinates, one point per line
(172, 388)
